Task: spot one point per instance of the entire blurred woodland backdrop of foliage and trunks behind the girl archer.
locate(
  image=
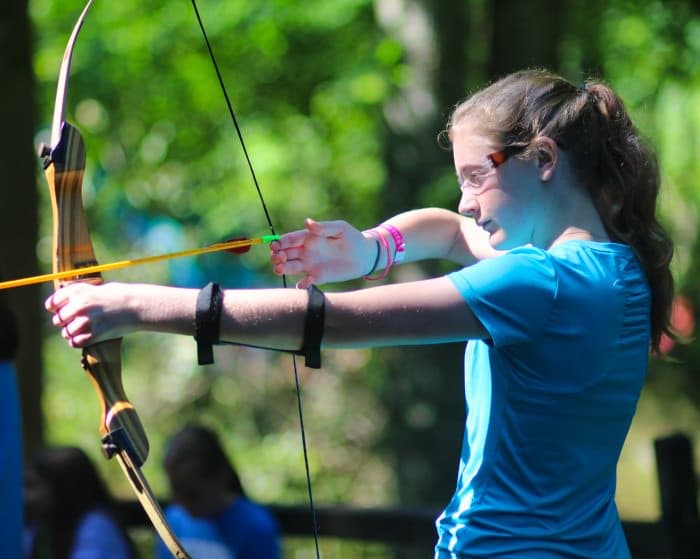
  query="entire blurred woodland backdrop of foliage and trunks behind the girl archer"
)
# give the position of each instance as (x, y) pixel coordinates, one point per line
(339, 104)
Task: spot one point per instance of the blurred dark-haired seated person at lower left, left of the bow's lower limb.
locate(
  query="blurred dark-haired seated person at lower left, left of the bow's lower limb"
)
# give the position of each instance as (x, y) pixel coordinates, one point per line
(70, 513)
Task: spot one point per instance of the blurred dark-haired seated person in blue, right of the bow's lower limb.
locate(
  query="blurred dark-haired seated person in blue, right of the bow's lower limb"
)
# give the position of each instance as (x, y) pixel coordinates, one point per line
(211, 514)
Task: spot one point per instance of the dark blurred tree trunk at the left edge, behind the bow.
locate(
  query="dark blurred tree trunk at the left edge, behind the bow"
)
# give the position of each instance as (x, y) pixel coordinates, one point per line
(18, 206)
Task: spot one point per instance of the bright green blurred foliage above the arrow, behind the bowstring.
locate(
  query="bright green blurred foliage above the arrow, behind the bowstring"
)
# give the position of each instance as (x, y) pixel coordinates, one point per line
(160, 141)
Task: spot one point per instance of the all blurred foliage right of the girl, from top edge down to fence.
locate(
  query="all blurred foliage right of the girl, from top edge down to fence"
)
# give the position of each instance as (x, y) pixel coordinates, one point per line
(652, 58)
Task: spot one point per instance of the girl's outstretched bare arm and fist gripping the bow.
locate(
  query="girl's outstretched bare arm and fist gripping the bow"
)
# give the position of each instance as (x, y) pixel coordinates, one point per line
(423, 312)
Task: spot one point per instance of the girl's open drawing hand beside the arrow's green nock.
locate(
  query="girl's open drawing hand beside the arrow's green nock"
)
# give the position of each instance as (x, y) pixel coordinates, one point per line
(325, 251)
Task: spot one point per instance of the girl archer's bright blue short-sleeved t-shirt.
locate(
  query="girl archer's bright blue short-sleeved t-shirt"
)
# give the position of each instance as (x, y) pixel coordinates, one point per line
(550, 397)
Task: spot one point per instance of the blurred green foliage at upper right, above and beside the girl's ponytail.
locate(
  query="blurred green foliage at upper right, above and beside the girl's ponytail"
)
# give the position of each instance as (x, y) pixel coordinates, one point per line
(653, 59)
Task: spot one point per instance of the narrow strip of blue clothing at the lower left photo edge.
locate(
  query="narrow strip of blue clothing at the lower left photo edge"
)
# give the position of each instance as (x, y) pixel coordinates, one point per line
(11, 497)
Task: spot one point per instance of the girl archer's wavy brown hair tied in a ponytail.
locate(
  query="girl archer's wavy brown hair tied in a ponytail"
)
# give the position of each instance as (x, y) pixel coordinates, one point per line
(607, 153)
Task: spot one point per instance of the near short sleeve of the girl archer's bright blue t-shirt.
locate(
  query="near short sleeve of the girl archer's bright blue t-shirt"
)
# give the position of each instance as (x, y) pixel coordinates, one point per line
(511, 295)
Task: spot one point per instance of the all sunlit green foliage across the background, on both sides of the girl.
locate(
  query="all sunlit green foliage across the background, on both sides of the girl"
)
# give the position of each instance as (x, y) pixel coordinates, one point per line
(310, 83)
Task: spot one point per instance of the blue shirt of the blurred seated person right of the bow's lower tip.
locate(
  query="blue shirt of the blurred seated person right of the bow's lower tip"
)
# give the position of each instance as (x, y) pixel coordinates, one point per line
(243, 530)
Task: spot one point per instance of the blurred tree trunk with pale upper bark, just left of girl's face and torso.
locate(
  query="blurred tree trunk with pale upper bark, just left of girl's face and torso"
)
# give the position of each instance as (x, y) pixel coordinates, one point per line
(422, 388)
